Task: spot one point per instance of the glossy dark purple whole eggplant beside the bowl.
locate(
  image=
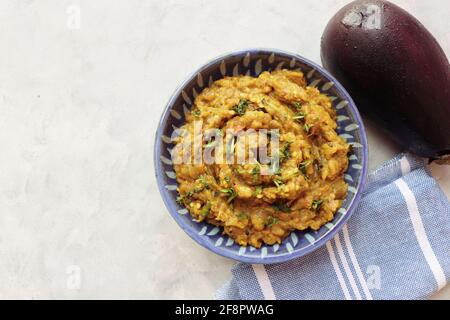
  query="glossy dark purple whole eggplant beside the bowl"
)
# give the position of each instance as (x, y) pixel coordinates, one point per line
(395, 71)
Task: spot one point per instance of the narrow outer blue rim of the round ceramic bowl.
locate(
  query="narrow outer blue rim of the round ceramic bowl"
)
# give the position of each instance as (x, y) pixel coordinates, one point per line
(170, 204)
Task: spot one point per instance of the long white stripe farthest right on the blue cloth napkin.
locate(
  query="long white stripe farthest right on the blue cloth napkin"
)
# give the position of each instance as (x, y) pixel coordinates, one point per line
(421, 236)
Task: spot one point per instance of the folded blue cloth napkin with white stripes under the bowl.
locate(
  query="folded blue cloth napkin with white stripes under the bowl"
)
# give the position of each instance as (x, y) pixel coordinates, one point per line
(395, 246)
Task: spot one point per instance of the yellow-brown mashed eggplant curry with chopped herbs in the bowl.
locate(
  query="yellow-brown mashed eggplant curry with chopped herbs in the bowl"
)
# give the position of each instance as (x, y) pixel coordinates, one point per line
(257, 202)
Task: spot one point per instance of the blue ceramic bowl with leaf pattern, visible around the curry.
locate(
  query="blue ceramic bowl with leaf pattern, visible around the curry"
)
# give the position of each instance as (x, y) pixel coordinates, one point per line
(253, 62)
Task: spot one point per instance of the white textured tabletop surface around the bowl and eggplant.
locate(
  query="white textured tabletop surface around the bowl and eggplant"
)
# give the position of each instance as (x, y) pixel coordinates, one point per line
(78, 113)
